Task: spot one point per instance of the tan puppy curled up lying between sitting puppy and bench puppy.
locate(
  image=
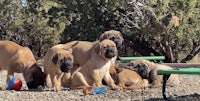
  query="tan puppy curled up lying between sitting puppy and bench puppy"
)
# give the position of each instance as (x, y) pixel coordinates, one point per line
(128, 79)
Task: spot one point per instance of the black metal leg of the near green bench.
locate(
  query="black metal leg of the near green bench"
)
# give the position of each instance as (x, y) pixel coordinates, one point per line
(165, 78)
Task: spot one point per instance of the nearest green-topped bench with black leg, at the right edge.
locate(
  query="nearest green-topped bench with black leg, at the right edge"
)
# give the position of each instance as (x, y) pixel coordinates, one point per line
(166, 74)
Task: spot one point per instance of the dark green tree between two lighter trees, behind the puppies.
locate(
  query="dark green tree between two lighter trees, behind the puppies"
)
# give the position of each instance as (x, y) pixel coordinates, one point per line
(91, 18)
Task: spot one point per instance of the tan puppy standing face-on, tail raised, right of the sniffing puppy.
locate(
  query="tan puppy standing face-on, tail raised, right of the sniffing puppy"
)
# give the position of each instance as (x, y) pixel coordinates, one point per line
(58, 62)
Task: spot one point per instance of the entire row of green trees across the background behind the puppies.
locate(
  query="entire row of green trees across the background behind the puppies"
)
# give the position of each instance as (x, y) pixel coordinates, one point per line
(167, 27)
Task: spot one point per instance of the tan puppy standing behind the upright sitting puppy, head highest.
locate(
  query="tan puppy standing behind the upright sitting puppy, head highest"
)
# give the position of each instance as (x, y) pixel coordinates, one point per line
(82, 50)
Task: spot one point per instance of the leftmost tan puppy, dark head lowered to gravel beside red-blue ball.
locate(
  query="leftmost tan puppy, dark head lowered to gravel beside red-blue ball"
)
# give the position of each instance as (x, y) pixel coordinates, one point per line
(15, 58)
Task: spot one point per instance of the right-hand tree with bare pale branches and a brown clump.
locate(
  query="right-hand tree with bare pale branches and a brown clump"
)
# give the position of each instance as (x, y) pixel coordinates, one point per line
(168, 28)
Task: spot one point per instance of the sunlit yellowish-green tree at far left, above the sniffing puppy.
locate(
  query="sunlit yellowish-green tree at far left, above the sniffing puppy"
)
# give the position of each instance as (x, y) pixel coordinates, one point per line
(30, 25)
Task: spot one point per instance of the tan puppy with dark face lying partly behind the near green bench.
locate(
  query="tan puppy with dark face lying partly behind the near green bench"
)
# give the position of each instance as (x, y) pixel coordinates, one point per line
(149, 69)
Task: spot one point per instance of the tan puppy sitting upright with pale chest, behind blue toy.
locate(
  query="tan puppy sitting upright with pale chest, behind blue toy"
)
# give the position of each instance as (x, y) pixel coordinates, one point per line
(97, 67)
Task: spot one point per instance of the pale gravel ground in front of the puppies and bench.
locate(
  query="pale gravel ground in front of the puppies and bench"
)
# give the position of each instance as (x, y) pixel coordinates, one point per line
(188, 90)
